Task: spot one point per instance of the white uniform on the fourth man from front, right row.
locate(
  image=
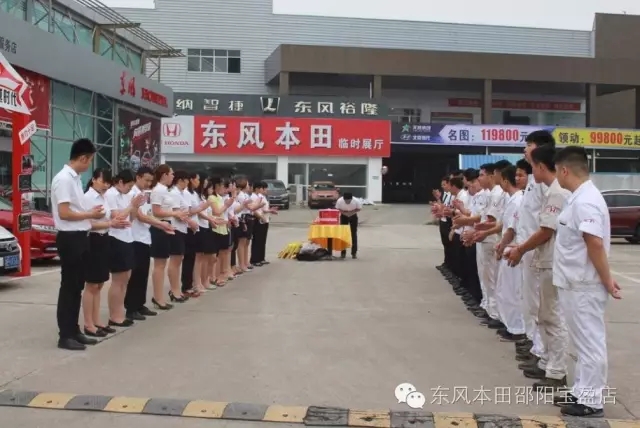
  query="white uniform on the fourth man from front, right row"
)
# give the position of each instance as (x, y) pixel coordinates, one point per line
(508, 293)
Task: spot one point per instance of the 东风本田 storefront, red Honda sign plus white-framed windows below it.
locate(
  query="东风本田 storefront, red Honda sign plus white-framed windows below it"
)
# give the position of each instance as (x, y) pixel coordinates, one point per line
(297, 151)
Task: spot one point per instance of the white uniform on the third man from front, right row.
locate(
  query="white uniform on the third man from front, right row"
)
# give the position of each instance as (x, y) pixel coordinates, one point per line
(528, 224)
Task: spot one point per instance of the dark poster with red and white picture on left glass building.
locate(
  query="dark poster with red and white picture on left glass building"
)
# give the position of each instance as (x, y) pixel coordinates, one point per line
(138, 140)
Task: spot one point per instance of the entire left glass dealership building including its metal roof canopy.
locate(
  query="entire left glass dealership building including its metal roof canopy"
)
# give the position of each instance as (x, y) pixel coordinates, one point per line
(86, 66)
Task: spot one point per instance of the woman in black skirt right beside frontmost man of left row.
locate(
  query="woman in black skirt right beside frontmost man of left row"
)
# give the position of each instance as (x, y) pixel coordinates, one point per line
(97, 263)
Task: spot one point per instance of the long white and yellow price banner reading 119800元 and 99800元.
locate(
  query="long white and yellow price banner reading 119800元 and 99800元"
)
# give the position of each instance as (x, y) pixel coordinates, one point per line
(510, 135)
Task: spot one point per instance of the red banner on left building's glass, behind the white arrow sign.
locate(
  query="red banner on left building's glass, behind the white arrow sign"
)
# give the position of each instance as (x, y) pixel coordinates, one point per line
(37, 97)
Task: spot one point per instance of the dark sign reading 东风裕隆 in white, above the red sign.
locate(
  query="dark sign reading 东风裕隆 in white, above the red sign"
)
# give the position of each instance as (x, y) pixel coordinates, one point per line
(284, 106)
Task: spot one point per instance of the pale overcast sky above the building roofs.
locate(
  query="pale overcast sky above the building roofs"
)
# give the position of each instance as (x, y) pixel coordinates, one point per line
(562, 14)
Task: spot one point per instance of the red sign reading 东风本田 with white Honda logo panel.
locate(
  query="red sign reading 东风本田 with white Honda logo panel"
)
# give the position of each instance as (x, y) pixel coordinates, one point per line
(272, 136)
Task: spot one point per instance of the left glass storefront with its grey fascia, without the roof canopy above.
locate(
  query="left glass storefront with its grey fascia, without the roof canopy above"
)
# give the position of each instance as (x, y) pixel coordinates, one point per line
(75, 93)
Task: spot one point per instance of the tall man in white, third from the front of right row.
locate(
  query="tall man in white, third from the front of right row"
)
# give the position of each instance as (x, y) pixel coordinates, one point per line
(528, 224)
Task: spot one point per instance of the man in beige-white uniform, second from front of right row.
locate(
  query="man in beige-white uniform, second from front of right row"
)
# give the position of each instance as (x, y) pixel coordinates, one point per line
(551, 368)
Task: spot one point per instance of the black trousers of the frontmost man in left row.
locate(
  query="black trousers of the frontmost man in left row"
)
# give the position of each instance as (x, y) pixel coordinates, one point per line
(73, 249)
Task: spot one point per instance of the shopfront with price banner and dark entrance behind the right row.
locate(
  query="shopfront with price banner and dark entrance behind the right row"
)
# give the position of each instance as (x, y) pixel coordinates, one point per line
(421, 153)
